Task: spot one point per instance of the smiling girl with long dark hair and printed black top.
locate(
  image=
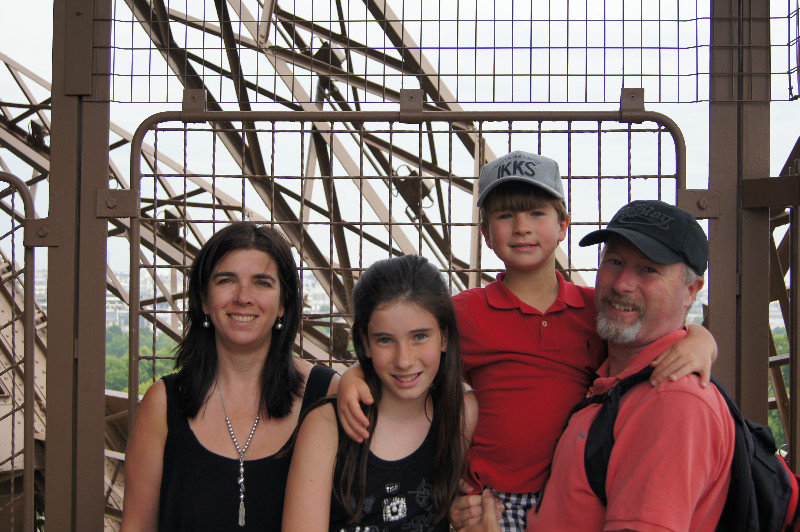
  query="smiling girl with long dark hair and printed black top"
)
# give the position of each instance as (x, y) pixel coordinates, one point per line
(405, 475)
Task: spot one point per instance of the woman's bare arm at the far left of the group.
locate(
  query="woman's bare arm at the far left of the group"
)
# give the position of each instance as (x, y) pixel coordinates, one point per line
(144, 462)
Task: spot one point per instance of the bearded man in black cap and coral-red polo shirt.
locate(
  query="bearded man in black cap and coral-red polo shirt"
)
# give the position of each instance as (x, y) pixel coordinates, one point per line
(651, 269)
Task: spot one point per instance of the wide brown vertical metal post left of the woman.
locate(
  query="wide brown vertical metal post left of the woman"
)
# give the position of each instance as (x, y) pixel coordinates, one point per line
(76, 283)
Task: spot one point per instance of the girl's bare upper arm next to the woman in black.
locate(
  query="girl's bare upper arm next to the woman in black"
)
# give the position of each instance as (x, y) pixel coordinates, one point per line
(307, 504)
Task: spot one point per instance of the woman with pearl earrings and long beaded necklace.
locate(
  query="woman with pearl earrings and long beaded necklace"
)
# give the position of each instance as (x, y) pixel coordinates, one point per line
(222, 422)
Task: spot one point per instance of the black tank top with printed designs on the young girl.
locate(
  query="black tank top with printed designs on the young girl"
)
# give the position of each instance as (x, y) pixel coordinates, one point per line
(397, 494)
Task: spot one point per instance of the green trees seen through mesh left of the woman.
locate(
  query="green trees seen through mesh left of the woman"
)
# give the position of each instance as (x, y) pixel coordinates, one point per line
(117, 358)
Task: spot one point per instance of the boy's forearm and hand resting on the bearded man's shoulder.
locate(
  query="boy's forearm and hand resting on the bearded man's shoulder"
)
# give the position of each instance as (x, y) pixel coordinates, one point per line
(693, 354)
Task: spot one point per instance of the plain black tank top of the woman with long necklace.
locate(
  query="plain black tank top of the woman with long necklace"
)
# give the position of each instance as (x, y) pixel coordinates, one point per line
(198, 488)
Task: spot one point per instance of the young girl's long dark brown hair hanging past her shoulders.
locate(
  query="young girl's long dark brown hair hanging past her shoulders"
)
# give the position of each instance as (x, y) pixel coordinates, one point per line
(412, 279)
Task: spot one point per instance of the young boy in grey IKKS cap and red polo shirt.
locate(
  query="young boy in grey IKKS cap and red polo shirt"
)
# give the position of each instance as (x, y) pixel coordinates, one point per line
(528, 366)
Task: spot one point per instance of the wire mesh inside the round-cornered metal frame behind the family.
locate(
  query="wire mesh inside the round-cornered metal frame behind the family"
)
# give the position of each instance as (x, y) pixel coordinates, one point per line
(345, 196)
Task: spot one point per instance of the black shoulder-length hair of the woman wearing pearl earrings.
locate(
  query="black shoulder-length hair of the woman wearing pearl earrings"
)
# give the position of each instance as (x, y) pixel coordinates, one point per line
(197, 353)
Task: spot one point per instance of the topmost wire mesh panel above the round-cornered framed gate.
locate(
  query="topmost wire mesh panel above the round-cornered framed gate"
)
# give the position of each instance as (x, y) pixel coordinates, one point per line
(359, 54)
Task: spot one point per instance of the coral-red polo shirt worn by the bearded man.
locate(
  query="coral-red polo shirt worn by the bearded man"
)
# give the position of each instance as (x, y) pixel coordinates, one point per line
(669, 468)
